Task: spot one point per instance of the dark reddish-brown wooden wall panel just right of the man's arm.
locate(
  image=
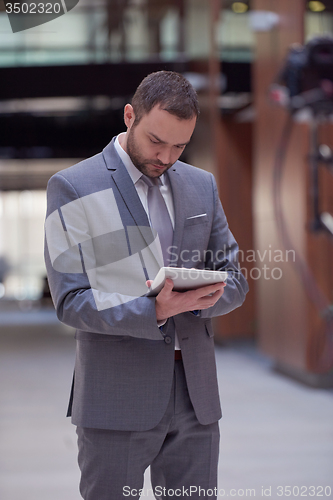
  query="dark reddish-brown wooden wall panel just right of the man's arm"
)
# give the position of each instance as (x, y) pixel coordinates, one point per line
(235, 186)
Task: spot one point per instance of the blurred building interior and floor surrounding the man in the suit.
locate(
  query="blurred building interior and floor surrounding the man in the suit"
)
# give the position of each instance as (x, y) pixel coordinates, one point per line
(265, 132)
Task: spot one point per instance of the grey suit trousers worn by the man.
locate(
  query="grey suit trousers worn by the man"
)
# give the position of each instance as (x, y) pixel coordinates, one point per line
(181, 452)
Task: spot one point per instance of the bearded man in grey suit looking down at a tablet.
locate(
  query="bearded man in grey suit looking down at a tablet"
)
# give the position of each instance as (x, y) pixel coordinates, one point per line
(145, 387)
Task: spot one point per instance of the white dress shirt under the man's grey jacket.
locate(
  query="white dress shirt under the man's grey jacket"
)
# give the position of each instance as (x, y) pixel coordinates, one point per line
(142, 190)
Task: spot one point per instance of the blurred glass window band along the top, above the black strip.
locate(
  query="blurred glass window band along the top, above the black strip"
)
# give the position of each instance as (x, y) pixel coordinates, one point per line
(135, 30)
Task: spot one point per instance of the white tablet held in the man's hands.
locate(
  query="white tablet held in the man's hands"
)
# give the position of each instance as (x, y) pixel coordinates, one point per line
(185, 279)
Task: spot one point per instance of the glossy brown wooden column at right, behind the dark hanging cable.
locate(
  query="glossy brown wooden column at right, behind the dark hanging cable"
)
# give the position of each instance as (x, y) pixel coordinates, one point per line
(289, 328)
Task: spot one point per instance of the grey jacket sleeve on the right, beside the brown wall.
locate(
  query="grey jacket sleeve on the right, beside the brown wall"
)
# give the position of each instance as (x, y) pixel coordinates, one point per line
(223, 256)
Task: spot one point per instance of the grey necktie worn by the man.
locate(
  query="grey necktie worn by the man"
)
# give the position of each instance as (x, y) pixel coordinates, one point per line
(159, 215)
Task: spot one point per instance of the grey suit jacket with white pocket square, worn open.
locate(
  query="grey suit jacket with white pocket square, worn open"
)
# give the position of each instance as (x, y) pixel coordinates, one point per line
(124, 362)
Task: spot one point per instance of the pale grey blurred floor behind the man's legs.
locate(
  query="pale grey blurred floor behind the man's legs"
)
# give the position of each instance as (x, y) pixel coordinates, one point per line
(276, 435)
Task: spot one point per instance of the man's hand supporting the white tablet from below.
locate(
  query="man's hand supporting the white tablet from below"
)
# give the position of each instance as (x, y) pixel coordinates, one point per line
(169, 303)
